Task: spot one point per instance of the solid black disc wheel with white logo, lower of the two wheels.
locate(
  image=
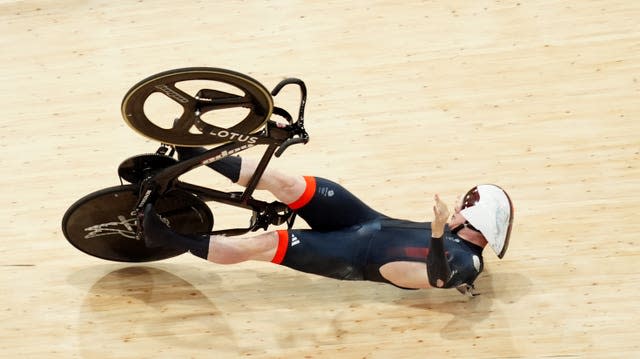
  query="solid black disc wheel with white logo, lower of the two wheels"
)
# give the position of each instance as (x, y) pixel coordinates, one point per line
(100, 224)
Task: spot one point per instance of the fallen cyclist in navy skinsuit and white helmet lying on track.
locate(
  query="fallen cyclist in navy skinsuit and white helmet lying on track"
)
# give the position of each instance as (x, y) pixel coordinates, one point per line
(349, 240)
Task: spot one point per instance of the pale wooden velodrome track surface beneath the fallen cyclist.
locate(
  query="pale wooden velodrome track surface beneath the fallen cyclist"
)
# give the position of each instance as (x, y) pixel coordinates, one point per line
(405, 100)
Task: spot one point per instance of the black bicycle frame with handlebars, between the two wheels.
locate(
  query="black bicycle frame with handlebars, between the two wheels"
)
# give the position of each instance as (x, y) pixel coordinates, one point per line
(276, 137)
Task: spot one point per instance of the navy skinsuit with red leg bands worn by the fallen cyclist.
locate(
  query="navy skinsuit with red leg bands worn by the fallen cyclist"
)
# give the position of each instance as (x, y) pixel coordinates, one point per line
(349, 240)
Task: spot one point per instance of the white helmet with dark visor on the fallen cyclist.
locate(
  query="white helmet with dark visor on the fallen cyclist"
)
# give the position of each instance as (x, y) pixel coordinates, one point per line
(489, 210)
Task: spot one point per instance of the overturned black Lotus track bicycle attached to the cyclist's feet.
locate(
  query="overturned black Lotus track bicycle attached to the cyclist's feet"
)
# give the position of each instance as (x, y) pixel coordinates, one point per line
(104, 223)
